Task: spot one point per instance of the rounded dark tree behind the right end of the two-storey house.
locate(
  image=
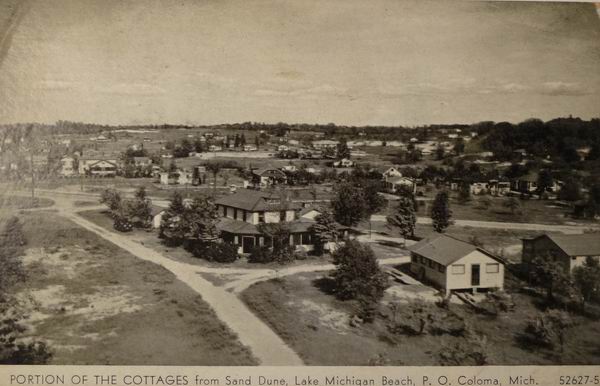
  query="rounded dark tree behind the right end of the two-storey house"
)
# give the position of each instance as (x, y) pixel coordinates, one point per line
(349, 206)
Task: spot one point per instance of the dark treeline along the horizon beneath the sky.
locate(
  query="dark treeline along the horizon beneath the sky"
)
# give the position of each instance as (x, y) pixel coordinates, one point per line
(559, 136)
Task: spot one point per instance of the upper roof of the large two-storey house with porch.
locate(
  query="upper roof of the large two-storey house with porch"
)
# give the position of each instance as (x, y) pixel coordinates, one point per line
(255, 200)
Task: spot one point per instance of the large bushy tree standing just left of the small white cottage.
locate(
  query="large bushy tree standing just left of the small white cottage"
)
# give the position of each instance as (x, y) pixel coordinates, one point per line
(358, 276)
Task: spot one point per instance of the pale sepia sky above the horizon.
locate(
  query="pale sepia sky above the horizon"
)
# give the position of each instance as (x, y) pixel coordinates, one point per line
(368, 62)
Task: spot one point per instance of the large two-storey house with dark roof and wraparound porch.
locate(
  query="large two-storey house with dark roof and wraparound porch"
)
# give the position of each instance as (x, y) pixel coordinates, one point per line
(244, 211)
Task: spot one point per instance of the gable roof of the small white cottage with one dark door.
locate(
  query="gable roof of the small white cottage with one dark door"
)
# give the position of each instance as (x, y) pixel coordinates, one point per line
(445, 250)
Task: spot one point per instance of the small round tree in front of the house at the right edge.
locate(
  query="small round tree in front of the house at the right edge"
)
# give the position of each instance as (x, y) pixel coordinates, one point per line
(549, 274)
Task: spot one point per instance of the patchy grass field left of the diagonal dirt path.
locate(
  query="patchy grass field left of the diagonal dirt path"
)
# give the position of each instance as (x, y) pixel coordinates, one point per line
(94, 303)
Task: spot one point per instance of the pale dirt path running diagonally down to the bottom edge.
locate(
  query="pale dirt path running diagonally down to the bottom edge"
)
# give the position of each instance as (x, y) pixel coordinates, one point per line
(265, 344)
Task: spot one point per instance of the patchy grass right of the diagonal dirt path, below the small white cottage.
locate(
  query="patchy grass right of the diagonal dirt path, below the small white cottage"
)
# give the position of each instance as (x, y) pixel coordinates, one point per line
(316, 326)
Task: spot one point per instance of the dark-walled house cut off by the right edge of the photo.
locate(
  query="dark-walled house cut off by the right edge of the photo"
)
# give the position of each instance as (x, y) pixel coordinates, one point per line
(570, 250)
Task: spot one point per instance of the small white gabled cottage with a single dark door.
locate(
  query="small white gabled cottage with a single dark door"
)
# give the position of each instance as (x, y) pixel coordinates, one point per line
(454, 265)
